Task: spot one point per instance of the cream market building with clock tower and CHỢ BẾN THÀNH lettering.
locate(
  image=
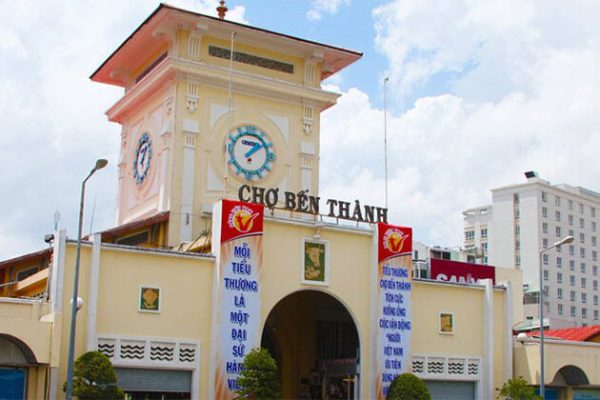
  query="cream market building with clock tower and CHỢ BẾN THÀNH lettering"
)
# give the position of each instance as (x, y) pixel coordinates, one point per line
(222, 244)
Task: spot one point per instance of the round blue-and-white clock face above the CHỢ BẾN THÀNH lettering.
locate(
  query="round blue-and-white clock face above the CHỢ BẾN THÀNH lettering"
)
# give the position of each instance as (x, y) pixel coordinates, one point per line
(250, 152)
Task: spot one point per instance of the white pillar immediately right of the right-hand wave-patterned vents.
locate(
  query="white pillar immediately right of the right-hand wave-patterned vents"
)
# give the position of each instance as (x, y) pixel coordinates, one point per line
(487, 380)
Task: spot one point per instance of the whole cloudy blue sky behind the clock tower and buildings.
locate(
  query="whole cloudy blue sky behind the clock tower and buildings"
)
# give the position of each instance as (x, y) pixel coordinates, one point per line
(478, 93)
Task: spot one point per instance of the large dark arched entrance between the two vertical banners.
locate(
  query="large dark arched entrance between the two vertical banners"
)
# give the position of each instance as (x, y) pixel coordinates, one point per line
(315, 342)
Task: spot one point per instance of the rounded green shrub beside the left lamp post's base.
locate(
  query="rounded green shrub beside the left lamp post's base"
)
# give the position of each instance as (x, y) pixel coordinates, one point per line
(94, 378)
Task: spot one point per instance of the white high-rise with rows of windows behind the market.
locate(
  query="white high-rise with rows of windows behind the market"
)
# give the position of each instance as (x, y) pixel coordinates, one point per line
(528, 217)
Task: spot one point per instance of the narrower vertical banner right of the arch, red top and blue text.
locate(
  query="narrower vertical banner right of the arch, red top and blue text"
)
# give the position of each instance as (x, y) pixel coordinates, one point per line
(394, 320)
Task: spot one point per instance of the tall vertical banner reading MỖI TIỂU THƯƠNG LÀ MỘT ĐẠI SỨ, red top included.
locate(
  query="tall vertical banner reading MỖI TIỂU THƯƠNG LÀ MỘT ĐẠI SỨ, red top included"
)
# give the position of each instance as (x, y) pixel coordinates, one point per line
(237, 237)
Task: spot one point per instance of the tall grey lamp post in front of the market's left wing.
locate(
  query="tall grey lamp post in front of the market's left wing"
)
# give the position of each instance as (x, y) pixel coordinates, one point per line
(101, 163)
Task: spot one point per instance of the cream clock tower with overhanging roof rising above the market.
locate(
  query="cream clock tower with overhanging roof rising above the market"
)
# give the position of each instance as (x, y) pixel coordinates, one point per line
(210, 105)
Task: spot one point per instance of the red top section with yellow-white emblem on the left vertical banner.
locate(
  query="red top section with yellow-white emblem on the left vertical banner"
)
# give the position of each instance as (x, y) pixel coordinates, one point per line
(240, 219)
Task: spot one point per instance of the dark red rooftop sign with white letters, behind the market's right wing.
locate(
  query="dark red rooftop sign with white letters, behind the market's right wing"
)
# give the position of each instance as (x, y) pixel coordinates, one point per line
(460, 272)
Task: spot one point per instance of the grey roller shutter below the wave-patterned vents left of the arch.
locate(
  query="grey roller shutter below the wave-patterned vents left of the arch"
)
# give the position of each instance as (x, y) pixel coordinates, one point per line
(154, 380)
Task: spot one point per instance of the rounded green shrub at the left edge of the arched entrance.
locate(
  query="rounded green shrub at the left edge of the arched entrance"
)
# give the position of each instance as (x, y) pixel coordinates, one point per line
(258, 380)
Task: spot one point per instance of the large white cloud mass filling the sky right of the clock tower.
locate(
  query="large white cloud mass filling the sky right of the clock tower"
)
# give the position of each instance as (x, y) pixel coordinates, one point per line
(522, 98)
